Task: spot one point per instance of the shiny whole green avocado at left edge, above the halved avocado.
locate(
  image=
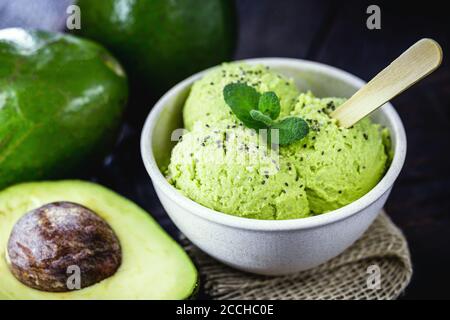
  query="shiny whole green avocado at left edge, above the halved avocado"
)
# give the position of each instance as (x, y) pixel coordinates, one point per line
(61, 103)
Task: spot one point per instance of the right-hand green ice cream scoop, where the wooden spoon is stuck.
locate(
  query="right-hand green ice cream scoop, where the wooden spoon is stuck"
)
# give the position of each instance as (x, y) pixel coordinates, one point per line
(338, 165)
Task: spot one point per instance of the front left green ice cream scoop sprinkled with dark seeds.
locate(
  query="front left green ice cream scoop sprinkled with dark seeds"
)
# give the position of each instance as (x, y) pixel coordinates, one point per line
(229, 170)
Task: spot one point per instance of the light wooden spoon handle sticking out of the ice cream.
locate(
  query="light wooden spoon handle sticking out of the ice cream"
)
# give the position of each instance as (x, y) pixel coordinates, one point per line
(417, 62)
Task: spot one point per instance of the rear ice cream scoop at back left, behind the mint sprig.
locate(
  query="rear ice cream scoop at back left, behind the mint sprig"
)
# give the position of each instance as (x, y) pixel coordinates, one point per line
(206, 104)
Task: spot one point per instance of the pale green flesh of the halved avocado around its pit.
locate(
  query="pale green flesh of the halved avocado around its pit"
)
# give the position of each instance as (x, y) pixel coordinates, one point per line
(153, 265)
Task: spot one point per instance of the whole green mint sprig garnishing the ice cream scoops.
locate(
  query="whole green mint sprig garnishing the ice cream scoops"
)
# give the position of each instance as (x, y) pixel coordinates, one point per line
(259, 111)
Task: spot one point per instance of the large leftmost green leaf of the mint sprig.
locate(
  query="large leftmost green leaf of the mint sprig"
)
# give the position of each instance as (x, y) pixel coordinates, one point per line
(242, 99)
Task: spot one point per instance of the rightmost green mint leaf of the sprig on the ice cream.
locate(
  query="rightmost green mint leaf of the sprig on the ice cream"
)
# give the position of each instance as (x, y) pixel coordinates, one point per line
(290, 130)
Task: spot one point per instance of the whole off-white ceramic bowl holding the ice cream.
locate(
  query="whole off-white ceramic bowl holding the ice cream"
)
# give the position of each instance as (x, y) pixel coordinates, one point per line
(267, 246)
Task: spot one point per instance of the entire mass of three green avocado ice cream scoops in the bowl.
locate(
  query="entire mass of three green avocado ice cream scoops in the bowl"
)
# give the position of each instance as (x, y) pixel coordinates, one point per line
(224, 166)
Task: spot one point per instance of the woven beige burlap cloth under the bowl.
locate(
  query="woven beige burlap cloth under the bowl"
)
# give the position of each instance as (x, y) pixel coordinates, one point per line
(344, 277)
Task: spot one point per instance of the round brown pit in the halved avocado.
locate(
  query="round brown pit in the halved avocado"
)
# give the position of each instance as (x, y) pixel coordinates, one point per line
(48, 240)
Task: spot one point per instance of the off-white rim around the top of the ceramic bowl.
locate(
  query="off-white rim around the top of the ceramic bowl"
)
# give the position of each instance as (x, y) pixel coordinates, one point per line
(218, 217)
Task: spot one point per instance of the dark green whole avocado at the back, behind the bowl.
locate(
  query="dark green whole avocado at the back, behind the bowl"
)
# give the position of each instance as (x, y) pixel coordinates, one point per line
(161, 42)
